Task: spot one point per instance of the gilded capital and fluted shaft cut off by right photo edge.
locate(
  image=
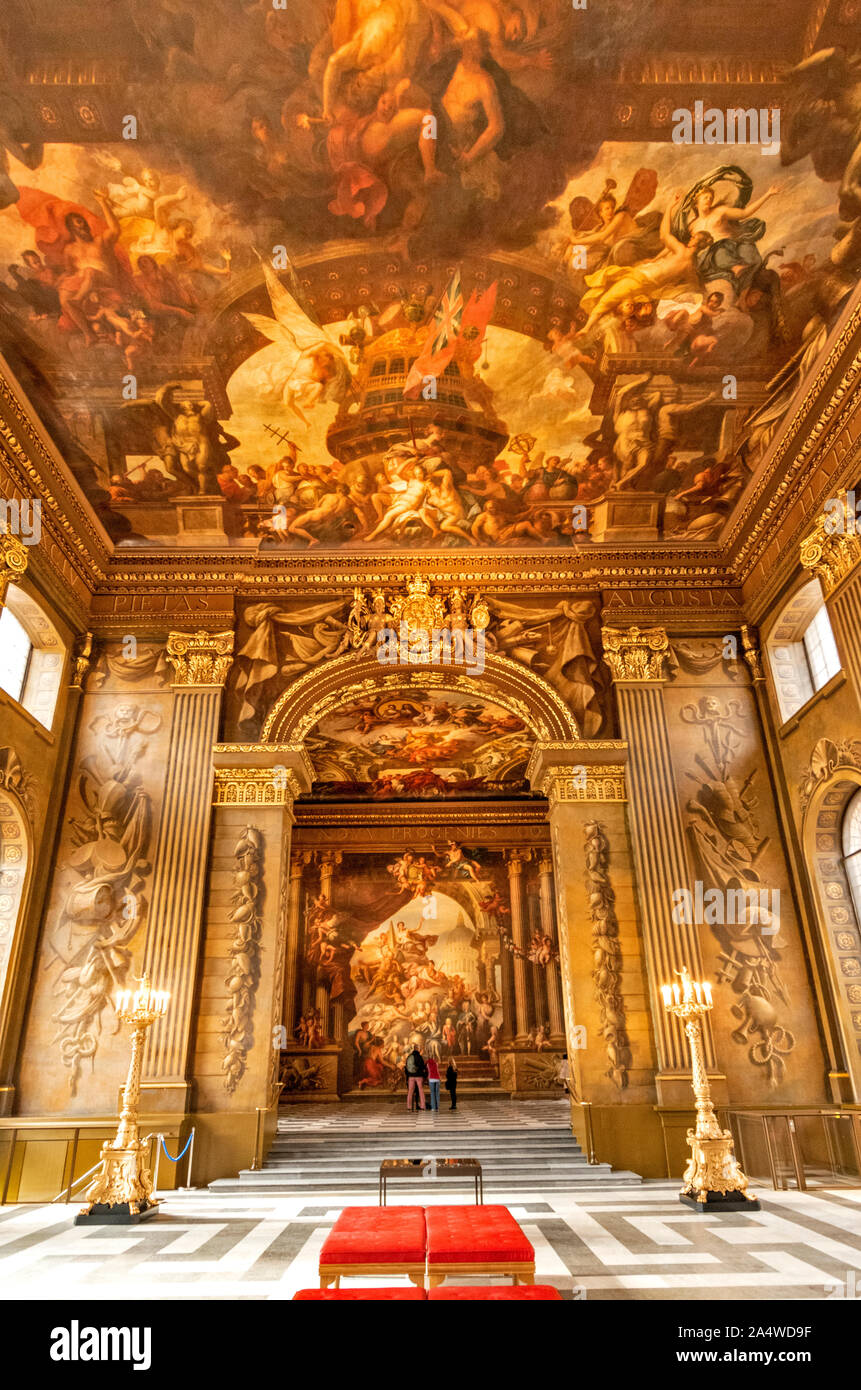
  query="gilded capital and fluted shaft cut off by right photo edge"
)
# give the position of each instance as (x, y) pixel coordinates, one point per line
(832, 553)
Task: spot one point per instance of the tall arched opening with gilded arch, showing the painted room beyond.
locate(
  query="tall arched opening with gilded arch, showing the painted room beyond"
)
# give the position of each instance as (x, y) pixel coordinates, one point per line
(390, 754)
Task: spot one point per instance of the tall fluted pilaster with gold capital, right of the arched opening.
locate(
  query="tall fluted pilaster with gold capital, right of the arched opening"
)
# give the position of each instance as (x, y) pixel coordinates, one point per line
(638, 658)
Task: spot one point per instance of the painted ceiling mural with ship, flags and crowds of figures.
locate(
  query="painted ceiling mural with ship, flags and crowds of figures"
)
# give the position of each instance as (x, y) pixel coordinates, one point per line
(365, 280)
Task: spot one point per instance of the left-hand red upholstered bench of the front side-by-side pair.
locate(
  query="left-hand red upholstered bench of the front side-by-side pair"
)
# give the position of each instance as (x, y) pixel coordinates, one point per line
(375, 1241)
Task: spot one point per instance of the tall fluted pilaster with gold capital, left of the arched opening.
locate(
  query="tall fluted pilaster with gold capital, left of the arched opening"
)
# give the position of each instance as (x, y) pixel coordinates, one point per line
(201, 664)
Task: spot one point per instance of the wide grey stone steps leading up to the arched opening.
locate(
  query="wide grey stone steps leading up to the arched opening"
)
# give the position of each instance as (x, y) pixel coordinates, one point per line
(521, 1146)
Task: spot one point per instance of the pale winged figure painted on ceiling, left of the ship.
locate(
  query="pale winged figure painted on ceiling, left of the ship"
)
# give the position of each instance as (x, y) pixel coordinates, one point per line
(311, 368)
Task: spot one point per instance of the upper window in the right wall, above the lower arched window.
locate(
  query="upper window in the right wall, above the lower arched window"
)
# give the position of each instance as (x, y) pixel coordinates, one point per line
(802, 650)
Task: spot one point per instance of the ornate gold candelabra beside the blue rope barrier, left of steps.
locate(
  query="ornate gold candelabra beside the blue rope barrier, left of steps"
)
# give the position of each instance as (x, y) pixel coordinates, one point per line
(123, 1189)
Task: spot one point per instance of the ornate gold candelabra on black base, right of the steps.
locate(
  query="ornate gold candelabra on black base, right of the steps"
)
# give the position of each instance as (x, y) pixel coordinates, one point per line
(713, 1177)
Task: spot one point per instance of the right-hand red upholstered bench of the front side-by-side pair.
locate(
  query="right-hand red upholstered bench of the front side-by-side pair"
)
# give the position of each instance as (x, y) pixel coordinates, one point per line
(471, 1241)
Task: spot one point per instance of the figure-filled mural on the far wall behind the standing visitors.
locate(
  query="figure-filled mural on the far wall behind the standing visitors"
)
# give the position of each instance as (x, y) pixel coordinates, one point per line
(412, 950)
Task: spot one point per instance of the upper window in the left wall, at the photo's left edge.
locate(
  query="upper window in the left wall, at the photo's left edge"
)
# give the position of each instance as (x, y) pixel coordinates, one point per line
(33, 657)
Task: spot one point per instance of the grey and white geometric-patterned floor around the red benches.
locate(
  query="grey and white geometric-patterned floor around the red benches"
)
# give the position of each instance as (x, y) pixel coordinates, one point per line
(609, 1245)
